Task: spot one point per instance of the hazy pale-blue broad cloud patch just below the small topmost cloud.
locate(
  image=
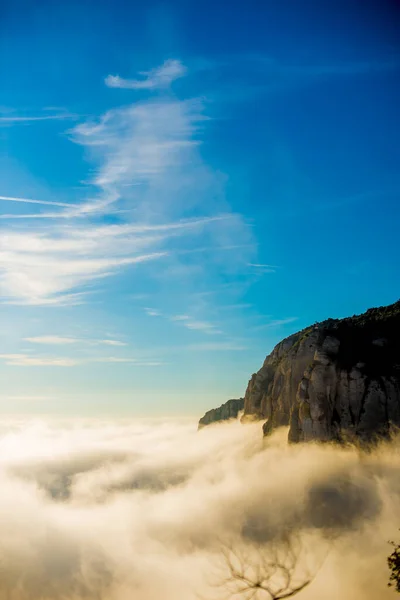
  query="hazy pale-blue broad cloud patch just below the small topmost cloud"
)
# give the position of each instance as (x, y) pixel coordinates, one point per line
(137, 143)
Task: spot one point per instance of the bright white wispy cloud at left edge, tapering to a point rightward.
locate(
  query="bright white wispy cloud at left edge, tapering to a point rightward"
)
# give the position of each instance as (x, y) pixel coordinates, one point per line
(43, 267)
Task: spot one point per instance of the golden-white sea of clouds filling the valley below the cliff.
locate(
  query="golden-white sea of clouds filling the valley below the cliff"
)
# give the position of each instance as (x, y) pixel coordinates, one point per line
(147, 509)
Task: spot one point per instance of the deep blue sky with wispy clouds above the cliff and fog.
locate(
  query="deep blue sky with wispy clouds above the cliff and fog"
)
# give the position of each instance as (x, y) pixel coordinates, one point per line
(182, 186)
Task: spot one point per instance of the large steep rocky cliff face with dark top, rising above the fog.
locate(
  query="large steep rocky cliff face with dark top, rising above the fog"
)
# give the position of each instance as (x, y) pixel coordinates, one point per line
(337, 379)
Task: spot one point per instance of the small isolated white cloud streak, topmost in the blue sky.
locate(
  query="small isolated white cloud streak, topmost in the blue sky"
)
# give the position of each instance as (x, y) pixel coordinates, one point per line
(160, 77)
